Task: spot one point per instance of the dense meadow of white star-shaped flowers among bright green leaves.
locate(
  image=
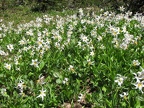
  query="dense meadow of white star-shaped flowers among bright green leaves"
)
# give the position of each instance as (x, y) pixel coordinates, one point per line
(83, 60)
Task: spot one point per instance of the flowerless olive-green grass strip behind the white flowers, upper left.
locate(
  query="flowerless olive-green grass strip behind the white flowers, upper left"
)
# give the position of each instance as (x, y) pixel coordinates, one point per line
(23, 14)
